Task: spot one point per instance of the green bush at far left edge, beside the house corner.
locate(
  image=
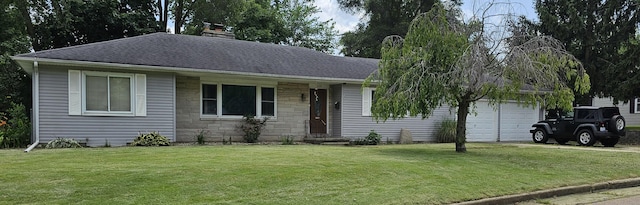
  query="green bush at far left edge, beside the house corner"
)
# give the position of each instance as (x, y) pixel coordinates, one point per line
(16, 127)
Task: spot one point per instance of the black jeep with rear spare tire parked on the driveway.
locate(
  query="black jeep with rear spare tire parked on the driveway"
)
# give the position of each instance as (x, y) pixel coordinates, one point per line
(586, 125)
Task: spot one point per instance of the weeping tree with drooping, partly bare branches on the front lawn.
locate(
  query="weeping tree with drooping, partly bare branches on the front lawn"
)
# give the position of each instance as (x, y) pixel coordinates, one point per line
(444, 61)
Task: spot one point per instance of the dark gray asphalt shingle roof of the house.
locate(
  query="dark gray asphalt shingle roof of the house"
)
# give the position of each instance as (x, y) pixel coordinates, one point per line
(213, 53)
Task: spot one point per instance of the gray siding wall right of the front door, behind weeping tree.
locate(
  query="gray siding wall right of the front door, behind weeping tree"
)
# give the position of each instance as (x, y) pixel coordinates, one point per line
(354, 125)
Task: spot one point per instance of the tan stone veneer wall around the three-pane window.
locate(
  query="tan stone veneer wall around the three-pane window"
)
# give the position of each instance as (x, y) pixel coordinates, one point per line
(292, 114)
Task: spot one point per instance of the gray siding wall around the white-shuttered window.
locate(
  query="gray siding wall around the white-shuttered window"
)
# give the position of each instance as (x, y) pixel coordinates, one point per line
(95, 130)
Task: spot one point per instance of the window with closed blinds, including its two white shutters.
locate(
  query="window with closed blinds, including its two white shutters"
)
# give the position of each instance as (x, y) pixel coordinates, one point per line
(107, 94)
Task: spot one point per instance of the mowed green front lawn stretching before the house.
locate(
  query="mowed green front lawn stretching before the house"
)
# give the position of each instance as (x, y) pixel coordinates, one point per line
(302, 174)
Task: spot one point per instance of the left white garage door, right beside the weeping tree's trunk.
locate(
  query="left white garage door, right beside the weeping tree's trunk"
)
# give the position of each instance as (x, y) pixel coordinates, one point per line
(482, 127)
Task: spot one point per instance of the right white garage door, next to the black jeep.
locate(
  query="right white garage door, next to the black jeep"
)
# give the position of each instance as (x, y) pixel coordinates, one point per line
(515, 122)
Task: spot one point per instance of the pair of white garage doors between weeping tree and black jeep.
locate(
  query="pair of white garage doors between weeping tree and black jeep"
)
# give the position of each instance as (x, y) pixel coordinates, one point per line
(507, 122)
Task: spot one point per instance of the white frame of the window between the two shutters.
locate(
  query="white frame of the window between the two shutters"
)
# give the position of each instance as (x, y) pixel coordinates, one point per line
(132, 93)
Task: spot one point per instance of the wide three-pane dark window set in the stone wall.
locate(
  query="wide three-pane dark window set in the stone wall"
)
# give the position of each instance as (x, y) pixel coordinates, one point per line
(220, 99)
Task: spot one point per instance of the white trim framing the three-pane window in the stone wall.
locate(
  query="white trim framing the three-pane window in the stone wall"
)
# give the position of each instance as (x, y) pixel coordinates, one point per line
(219, 100)
